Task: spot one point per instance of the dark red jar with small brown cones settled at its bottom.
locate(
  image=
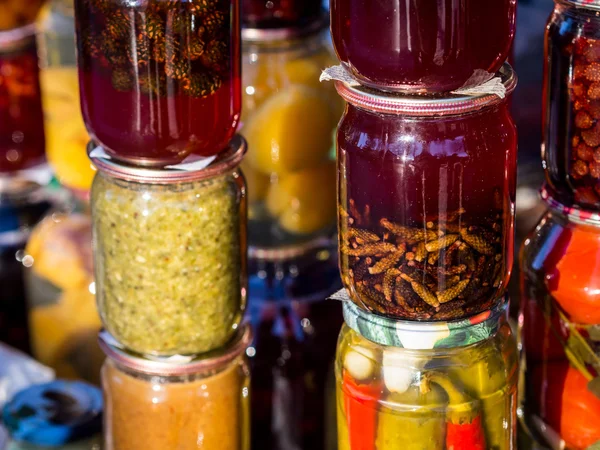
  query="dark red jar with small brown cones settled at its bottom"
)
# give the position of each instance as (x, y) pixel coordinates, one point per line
(426, 201)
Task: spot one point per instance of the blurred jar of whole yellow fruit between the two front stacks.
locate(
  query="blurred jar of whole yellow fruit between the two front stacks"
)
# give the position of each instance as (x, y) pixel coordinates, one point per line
(289, 121)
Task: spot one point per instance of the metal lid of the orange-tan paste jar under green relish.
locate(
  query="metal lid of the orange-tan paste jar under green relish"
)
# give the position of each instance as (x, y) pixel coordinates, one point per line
(168, 366)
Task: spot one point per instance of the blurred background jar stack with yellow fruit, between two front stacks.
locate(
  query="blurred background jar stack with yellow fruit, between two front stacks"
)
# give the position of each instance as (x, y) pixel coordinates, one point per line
(289, 120)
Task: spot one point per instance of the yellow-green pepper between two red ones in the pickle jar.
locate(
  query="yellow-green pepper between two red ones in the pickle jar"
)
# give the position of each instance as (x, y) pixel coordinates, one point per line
(412, 420)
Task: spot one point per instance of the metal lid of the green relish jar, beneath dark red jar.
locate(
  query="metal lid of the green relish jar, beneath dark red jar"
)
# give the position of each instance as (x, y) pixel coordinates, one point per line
(227, 160)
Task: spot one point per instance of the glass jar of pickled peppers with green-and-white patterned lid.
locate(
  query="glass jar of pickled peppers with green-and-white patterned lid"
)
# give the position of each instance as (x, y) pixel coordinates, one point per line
(404, 385)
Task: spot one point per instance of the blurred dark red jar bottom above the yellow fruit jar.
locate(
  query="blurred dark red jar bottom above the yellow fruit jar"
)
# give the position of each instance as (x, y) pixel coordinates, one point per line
(279, 13)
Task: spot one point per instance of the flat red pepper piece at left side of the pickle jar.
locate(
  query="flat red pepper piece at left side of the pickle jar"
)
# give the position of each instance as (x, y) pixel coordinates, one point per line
(360, 402)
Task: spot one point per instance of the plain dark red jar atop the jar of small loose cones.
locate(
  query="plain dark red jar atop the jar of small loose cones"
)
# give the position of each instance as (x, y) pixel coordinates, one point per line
(425, 46)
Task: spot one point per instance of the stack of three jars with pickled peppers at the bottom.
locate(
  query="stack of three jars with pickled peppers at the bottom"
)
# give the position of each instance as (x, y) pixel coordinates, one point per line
(426, 157)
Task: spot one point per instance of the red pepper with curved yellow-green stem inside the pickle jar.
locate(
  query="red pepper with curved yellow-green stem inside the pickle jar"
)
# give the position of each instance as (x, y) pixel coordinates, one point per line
(464, 430)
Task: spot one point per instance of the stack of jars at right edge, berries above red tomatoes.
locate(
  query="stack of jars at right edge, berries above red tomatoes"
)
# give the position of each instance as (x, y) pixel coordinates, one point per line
(560, 277)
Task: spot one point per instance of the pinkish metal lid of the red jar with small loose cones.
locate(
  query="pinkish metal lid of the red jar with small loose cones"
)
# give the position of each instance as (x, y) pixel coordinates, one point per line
(420, 105)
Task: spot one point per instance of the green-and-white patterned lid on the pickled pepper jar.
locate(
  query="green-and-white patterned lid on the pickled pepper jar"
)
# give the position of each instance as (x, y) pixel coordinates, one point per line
(425, 335)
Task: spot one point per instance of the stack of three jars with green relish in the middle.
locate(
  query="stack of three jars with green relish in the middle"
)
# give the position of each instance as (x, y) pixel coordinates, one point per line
(161, 97)
